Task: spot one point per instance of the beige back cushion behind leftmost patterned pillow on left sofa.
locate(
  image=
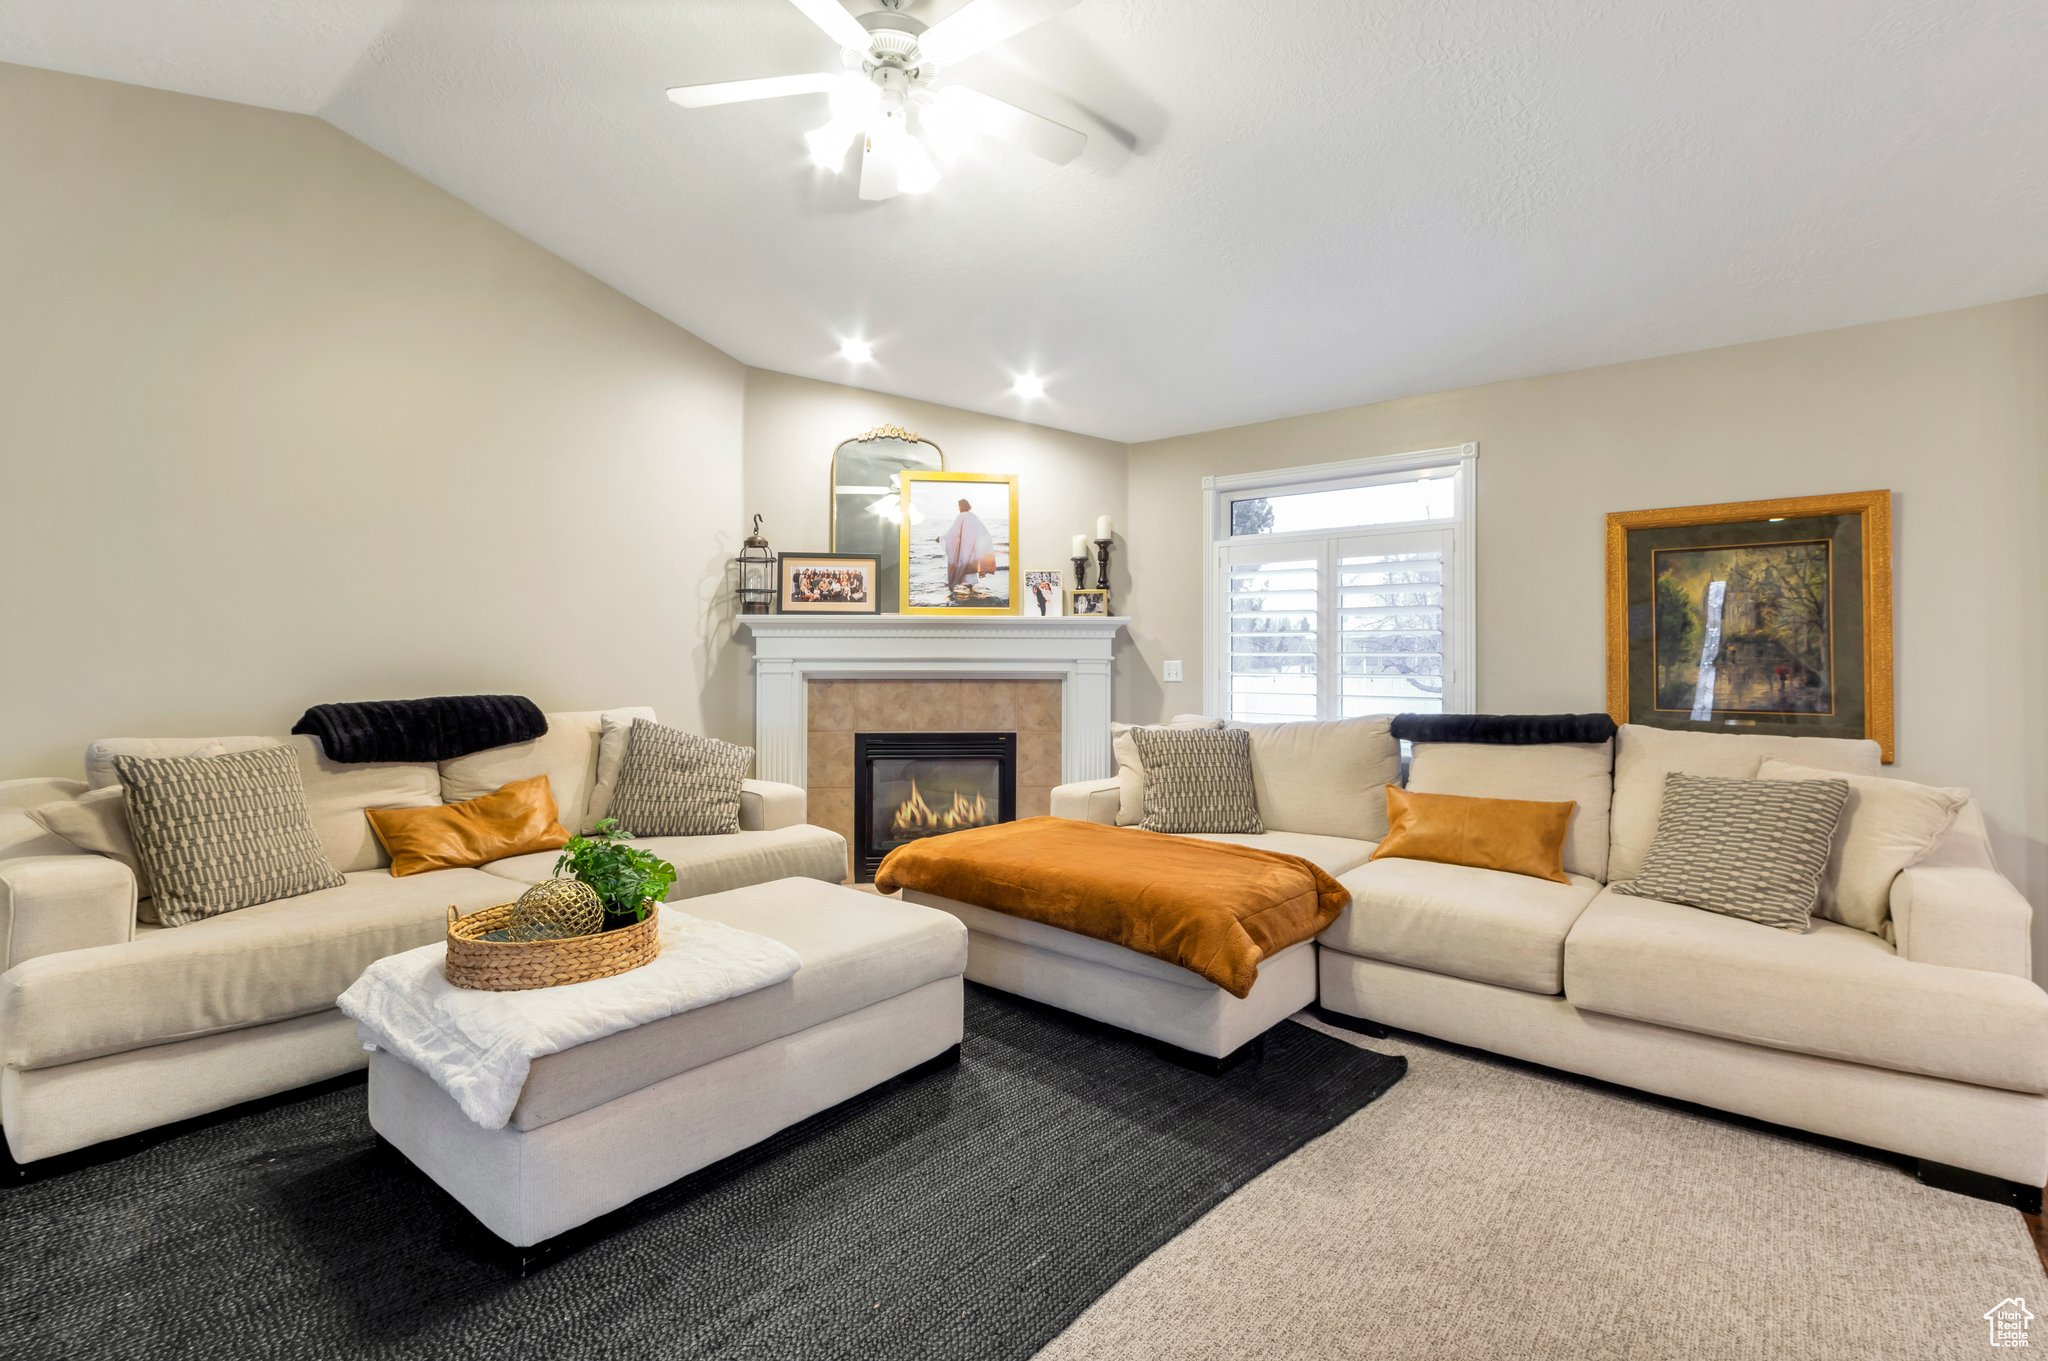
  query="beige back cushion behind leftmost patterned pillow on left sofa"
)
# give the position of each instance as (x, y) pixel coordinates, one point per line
(335, 793)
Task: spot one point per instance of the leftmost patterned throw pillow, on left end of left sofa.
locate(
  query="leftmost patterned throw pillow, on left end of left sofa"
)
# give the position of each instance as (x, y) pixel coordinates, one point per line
(222, 832)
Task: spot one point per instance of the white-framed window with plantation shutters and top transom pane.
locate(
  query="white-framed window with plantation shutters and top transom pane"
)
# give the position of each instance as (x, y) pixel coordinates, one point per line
(1342, 590)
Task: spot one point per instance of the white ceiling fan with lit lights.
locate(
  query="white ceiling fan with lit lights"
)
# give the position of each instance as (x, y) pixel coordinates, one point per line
(888, 101)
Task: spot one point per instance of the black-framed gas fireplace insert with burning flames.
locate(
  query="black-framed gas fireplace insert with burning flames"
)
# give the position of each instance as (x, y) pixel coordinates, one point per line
(923, 785)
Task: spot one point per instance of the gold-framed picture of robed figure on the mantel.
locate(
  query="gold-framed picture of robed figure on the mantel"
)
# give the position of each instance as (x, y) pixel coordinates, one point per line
(955, 543)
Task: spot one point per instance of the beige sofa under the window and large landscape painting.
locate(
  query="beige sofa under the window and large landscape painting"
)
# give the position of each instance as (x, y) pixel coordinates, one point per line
(1928, 1039)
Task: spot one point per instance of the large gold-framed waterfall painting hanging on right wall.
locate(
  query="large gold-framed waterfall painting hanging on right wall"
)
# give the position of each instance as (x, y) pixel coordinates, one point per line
(1754, 617)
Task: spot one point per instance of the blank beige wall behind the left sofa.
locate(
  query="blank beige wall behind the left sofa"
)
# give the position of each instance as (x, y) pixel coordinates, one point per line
(282, 423)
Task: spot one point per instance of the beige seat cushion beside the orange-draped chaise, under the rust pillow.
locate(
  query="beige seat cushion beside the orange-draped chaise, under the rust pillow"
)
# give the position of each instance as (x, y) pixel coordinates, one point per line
(1471, 924)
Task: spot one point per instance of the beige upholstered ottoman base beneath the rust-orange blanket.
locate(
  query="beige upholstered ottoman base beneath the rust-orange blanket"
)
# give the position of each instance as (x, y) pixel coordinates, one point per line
(1127, 990)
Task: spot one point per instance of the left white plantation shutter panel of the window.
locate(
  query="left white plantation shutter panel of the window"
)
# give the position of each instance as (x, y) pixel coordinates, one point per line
(1275, 635)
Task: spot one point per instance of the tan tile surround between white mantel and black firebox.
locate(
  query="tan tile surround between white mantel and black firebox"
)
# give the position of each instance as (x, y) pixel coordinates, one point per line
(845, 707)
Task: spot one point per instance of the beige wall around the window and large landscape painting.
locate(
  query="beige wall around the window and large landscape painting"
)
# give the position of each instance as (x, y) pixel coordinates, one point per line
(1951, 412)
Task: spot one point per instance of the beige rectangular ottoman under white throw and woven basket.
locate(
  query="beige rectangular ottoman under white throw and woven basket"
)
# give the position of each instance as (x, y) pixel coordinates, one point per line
(607, 1123)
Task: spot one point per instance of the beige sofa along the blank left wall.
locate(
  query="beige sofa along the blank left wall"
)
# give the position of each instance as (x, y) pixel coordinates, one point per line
(112, 1026)
